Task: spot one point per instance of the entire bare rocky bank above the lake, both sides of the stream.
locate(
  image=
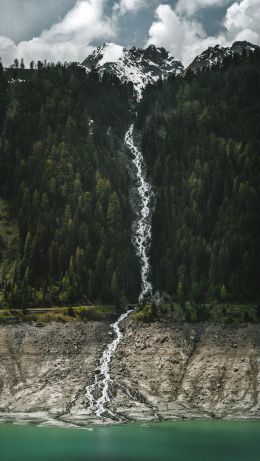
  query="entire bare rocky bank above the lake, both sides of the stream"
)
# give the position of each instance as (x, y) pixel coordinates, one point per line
(165, 372)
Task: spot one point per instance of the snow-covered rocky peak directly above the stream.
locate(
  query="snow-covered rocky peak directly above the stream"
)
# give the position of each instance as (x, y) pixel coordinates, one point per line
(139, 66)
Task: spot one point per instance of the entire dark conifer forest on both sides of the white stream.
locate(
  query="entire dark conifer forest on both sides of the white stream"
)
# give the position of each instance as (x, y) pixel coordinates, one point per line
(65, 179)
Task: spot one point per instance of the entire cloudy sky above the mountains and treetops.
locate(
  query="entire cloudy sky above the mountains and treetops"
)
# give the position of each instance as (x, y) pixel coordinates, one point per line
(69, 30)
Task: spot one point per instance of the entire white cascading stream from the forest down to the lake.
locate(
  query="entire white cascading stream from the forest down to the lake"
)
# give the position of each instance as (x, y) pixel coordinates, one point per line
(98, 393)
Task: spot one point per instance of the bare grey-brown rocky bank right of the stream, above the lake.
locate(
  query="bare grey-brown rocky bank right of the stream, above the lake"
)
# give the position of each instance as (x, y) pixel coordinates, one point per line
(183, 371)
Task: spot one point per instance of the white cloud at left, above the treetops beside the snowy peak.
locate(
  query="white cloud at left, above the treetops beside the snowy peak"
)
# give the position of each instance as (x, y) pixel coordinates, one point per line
(68, 40)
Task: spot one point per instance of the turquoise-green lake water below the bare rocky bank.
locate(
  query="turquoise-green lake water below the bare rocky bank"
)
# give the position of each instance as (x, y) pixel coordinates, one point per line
(177, 441)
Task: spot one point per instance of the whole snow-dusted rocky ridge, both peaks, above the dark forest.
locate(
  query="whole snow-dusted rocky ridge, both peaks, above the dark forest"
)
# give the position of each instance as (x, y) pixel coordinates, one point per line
(142, 66)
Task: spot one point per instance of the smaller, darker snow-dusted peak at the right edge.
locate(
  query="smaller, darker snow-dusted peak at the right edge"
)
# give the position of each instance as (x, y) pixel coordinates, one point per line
(215, 55)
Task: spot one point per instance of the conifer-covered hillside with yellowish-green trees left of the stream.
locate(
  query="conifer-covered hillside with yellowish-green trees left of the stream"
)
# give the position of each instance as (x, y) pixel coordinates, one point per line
(63, 173)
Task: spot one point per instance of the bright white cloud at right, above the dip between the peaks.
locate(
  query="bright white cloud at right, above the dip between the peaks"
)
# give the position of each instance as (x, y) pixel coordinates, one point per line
(184, 36)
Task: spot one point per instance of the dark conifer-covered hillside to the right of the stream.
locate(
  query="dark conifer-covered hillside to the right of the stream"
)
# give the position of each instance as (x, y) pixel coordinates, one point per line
(201, 142)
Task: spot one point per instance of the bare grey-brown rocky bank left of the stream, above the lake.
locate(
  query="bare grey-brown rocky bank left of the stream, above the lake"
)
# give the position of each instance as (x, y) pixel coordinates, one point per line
(43, 371)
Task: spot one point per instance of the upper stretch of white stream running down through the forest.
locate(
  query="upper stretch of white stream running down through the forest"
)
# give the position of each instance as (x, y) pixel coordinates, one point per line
(142, 232)
